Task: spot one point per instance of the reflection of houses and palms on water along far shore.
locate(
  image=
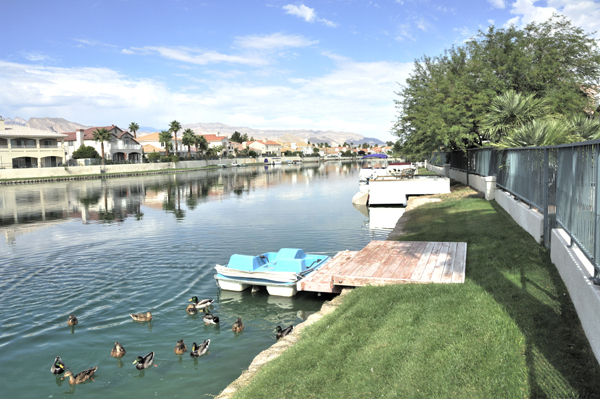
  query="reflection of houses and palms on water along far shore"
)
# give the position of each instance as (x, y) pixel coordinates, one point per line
(30, 208)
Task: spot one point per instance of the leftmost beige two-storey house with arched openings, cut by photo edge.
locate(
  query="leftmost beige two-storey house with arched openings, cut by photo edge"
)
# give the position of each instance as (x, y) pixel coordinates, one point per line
(25, 147)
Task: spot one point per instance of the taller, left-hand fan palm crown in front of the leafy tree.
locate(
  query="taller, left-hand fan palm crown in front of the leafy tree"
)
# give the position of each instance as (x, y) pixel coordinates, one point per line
(512, 110)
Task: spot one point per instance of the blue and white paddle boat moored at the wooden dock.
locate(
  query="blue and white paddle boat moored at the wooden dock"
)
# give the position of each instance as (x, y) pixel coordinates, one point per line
(279, 272)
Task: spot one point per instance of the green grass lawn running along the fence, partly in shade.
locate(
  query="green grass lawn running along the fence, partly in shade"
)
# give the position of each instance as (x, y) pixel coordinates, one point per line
(510, 331)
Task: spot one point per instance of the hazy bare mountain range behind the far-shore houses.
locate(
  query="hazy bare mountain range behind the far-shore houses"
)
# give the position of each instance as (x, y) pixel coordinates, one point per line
(60, 125)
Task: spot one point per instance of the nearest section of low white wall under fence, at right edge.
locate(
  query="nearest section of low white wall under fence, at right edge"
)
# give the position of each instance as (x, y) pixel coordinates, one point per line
(575, 270)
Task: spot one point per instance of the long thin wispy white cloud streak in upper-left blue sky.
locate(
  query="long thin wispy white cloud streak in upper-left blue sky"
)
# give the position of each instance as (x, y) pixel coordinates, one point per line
(196, 56)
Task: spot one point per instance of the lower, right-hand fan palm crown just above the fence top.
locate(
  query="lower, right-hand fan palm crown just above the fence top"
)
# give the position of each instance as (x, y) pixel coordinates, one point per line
(537, 133)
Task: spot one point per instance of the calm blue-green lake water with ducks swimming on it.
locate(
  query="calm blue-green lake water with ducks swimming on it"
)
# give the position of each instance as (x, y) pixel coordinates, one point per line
(102, 249)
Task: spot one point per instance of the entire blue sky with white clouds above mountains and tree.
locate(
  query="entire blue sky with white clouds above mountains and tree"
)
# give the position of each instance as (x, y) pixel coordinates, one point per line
(319, 65)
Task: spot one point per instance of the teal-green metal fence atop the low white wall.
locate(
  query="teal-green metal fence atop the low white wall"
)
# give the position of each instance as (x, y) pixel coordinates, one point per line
(559, 181)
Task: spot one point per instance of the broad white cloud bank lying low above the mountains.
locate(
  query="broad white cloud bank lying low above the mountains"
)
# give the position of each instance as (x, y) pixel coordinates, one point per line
(355, 96)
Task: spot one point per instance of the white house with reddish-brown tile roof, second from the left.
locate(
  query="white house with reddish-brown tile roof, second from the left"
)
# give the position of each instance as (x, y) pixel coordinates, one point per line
(120, 148)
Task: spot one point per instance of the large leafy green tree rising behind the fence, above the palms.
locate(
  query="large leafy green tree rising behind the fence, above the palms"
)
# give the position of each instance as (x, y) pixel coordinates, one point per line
(445, 99)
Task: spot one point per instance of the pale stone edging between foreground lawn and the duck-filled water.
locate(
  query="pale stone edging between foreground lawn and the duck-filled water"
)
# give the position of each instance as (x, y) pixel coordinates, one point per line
(279, 347)
